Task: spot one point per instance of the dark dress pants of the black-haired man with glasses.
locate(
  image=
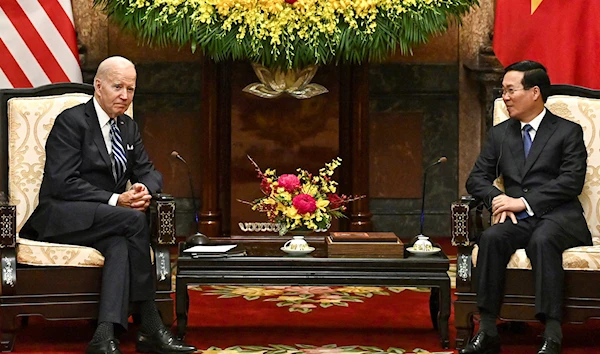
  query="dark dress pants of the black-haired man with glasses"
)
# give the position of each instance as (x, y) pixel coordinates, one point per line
(544, 241)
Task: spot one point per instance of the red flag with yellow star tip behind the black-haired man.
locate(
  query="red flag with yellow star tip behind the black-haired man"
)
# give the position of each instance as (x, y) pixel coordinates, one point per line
(563, 35)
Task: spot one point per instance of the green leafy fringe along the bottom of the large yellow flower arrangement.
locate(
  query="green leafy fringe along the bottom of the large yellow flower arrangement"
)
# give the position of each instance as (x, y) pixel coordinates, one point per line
(347, 44)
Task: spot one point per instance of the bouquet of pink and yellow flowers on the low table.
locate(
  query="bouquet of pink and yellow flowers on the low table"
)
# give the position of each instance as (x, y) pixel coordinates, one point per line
(302, 200)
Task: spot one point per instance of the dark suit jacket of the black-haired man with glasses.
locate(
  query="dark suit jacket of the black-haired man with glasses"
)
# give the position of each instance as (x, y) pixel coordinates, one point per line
(550, 179)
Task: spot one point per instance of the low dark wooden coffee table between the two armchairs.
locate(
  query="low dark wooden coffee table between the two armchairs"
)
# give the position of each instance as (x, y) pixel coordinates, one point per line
(279, 269)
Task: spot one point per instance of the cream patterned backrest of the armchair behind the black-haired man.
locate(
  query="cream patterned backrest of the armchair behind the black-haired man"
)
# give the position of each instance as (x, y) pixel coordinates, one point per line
(580, 105)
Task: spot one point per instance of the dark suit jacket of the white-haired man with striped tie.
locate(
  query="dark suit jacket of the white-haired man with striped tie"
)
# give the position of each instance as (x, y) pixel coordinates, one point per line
(78, 172)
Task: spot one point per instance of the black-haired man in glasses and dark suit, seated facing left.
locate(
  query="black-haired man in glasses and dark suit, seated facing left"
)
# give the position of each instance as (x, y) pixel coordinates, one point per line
(542, 159)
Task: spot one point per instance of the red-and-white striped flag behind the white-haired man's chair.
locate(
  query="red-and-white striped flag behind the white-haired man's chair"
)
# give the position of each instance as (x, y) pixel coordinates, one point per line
(38, 44)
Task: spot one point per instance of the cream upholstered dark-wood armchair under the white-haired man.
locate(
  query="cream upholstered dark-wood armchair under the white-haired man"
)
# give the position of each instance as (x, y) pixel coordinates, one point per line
(53, 280)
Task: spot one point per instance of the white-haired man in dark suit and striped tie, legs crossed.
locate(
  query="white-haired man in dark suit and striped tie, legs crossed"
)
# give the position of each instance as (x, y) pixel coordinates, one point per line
(92, 151)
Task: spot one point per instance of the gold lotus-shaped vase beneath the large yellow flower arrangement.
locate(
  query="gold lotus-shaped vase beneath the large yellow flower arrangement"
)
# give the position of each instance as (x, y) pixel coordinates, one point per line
(275, 82)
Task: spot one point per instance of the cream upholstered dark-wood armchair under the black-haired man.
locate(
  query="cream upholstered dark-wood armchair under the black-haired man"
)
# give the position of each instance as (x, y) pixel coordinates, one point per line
(582, 264)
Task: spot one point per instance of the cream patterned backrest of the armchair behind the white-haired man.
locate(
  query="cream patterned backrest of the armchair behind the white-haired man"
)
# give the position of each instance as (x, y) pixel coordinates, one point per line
(27, 116)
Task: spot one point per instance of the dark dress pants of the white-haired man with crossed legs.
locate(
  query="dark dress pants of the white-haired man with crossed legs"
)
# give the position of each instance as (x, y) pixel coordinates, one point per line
(122, 236)
